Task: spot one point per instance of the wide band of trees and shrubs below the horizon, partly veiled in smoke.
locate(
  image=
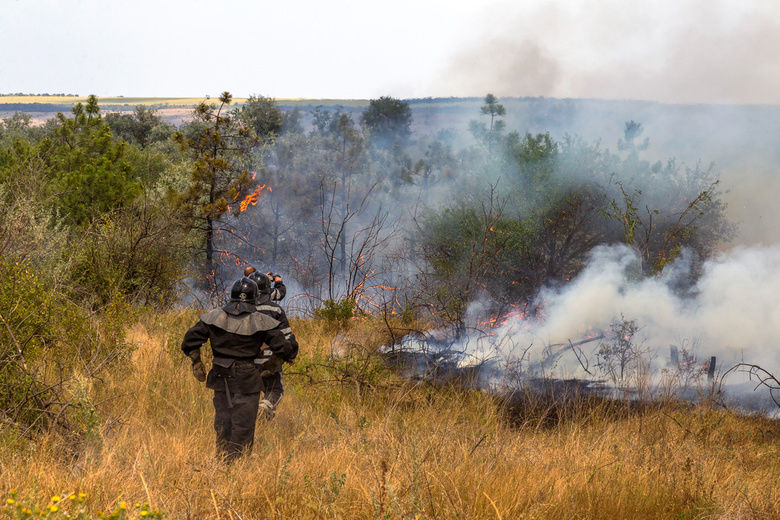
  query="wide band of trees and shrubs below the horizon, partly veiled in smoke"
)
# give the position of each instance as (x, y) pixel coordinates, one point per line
(348, 205)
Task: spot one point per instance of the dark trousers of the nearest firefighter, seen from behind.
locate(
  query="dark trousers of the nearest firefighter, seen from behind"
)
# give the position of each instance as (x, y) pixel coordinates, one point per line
(234, 423)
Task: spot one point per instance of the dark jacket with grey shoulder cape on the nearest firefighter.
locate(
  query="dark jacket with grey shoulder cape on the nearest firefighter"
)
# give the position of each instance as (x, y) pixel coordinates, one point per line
(237, 335)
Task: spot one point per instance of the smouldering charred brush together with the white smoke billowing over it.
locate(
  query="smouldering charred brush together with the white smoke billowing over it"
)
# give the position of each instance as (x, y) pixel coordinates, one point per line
(726, 319)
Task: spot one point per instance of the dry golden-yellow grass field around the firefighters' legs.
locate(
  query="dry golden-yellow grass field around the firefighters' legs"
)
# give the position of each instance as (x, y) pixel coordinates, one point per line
(395, 449)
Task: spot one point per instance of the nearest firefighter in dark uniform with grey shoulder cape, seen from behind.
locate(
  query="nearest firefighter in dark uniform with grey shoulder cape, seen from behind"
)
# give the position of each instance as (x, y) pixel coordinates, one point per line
(237, 332)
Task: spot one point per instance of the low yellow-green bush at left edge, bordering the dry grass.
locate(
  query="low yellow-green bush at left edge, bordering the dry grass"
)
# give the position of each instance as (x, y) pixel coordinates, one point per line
(39, 327)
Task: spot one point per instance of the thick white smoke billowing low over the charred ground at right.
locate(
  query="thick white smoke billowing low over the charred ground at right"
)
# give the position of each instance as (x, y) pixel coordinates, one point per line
(731, 313)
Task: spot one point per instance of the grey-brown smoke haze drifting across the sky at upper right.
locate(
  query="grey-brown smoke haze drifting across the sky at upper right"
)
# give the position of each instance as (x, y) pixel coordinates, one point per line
(672, 52)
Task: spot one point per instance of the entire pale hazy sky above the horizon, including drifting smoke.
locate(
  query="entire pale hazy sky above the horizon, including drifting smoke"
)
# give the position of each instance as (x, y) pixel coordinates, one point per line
(681, 51)
